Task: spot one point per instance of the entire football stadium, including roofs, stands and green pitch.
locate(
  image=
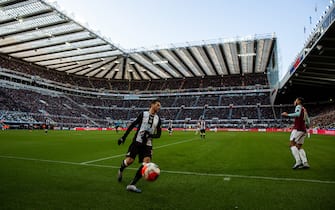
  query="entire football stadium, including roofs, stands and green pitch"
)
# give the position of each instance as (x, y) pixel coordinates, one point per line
(68, 94)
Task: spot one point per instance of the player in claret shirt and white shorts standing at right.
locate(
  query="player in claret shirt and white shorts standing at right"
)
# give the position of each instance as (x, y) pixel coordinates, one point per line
(298, 134)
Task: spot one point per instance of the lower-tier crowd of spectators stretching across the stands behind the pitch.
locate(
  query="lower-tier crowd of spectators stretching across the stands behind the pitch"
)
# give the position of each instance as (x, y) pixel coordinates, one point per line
(78, 110)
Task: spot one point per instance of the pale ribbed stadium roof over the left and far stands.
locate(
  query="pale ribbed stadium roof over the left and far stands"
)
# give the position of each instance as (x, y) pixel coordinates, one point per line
(38, 32)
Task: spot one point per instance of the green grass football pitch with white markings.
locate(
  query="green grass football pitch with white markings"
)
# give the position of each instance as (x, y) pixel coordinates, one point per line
(227, 170)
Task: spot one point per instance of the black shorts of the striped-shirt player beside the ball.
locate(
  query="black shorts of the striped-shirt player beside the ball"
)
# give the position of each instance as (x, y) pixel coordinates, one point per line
(142, 150)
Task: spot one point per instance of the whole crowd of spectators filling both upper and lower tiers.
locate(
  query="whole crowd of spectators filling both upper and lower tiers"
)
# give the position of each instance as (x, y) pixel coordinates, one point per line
(75, 110)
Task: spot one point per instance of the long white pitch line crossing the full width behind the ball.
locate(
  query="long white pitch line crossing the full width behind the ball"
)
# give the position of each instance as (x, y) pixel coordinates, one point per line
(178, 172)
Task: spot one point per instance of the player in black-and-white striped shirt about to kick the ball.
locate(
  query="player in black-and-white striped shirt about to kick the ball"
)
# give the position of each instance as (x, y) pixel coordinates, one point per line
(148, 126)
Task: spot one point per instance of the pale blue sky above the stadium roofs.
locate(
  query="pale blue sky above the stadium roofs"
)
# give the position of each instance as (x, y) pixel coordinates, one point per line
(147, 23)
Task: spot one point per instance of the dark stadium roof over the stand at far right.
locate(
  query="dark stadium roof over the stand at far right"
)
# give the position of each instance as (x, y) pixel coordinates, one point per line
(312, 74)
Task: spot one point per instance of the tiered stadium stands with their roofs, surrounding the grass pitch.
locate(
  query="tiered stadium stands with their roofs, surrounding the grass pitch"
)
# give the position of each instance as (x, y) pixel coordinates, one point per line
(231, 83)
